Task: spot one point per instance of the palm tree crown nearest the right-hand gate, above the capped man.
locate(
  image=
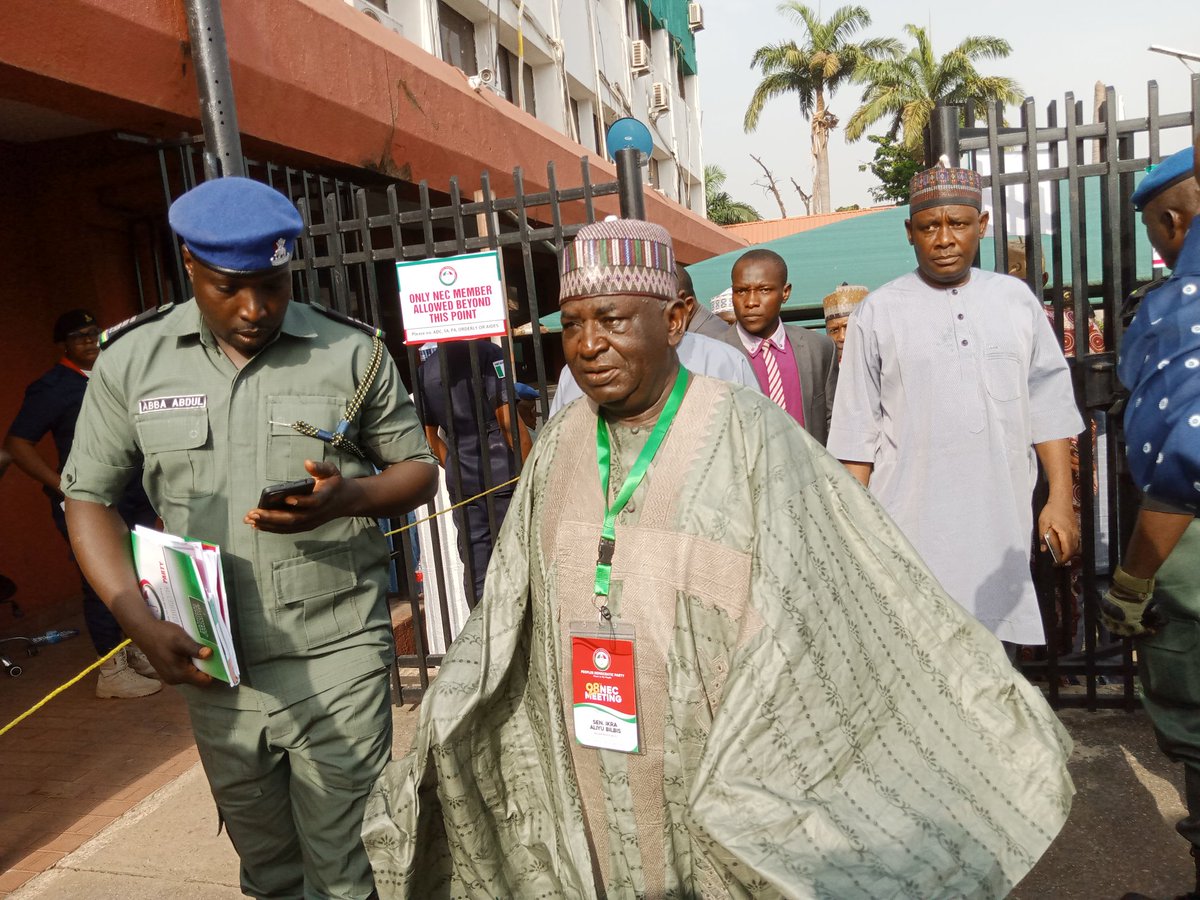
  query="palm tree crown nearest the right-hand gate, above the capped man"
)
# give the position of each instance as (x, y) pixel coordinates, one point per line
(905, 89)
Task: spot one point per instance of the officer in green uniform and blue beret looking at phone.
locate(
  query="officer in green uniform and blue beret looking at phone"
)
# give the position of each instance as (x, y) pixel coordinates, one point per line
(219, 398)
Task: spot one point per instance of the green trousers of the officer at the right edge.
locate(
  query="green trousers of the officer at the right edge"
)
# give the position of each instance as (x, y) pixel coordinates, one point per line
(1169, 664)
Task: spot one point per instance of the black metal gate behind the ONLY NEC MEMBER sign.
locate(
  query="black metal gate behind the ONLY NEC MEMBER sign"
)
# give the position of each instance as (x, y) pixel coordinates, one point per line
(355, 235)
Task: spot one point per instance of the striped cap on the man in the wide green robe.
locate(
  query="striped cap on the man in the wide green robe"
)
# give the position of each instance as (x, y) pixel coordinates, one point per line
(620, 256)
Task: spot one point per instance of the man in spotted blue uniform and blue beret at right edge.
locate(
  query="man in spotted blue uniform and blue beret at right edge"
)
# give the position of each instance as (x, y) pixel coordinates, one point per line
(1161, 365)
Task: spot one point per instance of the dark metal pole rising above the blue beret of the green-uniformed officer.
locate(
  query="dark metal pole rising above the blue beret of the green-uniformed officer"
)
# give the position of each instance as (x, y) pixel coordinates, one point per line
(219, 115)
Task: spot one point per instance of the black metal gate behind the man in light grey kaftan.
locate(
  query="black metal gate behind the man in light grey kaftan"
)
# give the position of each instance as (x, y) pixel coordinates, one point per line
(1065, 187)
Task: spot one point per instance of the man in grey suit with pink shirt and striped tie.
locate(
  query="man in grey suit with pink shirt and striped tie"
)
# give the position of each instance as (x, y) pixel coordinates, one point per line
(796, 368)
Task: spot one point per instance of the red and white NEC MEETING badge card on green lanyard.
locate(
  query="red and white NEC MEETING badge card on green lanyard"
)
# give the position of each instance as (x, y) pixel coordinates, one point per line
(603, 686)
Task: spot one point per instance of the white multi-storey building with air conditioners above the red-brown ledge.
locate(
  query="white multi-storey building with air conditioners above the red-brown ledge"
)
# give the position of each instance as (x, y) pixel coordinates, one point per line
(578, 68)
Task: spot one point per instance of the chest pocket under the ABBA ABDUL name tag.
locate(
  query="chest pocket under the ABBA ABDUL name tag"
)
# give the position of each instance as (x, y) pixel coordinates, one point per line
(178, 452)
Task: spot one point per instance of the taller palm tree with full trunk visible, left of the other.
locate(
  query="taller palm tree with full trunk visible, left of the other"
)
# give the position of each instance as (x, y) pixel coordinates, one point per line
(813, 71)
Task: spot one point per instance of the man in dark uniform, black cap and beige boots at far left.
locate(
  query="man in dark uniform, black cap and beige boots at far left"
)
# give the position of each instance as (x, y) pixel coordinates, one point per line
(51, 407)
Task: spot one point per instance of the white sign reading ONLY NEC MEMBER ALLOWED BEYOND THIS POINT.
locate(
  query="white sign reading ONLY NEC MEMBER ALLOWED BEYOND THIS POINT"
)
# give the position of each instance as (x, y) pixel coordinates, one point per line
(453, 298)
